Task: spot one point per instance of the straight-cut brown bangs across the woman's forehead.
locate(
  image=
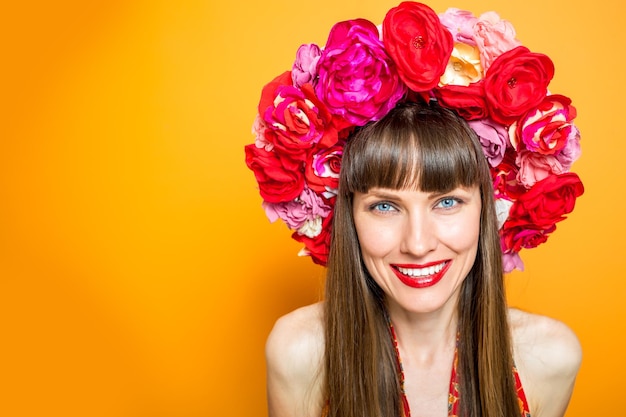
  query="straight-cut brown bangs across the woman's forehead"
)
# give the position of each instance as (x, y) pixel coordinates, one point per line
(425, 150)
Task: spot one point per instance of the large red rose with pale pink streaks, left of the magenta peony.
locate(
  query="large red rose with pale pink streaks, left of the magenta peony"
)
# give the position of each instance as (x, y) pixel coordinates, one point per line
(295, 118)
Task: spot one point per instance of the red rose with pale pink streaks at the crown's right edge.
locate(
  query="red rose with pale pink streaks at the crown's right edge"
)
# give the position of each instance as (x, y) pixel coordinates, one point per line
(546, 128)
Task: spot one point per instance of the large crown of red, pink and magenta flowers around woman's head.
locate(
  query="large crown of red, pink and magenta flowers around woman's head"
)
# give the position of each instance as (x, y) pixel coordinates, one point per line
(473, 65)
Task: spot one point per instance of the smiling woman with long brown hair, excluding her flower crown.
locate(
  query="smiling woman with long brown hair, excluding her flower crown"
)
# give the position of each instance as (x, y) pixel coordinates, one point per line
(415, 263)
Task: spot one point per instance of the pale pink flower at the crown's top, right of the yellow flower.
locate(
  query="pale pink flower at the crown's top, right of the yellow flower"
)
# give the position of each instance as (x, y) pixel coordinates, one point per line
(494, 36)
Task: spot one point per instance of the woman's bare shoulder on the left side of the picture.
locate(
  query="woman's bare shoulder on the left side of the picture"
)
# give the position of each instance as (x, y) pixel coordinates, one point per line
(294, 352)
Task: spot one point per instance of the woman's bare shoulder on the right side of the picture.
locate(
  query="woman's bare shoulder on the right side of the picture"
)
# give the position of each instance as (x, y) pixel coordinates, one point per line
(548, 356)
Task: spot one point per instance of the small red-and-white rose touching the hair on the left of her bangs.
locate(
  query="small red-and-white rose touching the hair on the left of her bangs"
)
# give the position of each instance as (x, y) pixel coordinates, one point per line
(322, 170)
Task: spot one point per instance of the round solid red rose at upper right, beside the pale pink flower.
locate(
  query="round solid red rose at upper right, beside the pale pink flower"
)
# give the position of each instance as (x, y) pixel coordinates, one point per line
(516, 82)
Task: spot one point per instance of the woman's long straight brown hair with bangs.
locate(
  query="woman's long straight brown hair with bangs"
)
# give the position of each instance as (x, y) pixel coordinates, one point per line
(415, 146)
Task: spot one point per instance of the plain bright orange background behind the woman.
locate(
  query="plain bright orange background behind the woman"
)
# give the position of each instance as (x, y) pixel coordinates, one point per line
(138, 274)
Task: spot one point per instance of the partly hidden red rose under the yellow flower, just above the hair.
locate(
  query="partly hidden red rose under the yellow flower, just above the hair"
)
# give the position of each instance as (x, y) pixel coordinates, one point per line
(468, 101)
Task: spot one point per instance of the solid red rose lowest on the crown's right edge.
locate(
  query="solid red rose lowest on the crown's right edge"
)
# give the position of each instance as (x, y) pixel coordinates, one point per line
(547, 202)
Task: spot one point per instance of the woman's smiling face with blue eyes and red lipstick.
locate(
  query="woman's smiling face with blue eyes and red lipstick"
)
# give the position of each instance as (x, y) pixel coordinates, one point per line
(418, 246)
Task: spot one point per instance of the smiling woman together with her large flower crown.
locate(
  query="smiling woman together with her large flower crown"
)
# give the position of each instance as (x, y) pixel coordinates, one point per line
(454, 157)
